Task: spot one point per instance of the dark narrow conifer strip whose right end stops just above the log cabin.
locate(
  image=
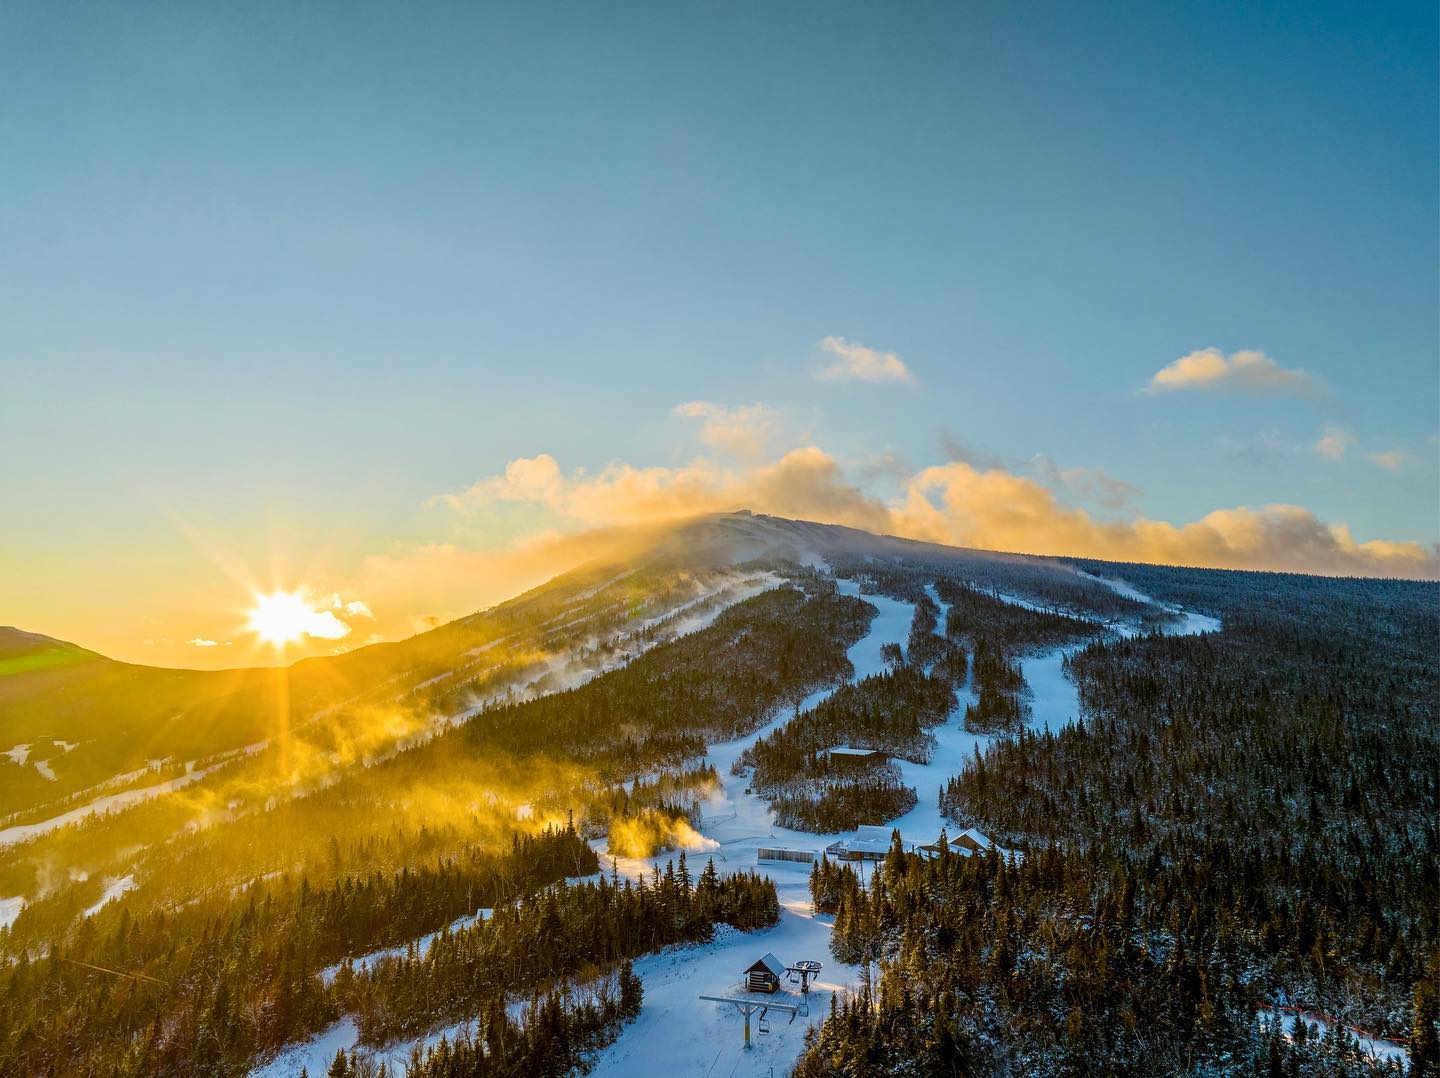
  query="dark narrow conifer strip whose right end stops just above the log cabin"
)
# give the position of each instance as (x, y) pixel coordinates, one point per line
(545, 939)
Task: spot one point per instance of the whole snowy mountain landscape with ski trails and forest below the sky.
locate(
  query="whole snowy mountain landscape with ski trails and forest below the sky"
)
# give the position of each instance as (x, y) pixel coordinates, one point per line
(1030, 817)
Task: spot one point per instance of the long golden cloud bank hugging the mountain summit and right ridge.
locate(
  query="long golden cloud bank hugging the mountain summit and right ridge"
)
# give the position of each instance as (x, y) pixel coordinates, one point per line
(955, 504)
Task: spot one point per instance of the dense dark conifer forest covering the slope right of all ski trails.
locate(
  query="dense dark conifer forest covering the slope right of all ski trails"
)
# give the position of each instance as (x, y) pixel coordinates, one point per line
(1243, 818)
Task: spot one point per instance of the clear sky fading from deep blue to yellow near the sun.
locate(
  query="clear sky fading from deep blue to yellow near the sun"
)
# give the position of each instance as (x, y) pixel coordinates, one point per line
(280, 277)
